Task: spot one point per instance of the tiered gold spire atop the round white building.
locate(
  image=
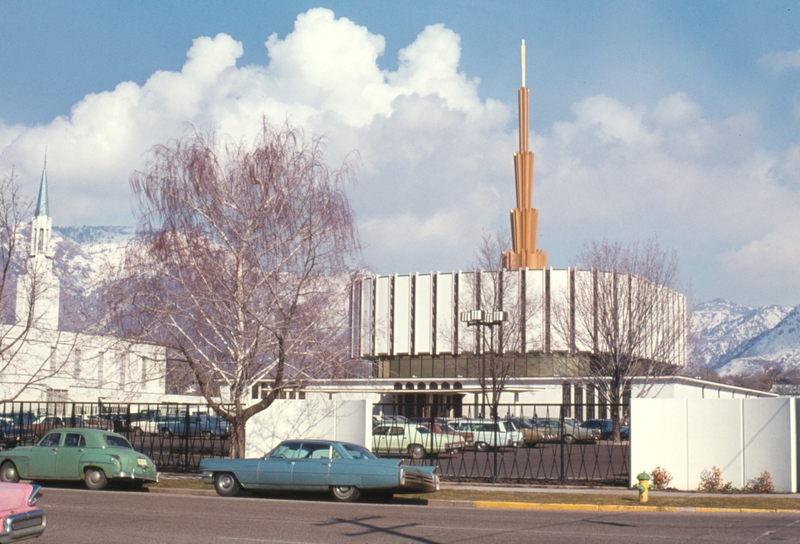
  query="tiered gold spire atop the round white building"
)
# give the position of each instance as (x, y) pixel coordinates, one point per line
(524, 218)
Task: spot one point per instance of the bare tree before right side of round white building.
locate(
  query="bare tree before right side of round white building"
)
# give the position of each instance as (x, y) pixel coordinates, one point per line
(625, 321)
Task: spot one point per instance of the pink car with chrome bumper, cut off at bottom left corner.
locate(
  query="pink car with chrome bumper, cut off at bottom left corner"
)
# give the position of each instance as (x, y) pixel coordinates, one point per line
(20, 519)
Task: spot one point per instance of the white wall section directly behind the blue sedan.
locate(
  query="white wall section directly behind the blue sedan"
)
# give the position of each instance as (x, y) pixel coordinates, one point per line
(318, 417)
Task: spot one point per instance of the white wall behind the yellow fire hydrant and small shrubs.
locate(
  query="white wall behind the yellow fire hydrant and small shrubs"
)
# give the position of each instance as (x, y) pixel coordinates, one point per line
(743, 437)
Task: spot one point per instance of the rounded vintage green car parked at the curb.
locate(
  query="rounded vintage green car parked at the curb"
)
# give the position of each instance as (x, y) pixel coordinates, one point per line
(91, 455)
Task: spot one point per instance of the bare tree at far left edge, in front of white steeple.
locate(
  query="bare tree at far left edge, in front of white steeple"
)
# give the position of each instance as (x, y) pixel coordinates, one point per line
(27, 287)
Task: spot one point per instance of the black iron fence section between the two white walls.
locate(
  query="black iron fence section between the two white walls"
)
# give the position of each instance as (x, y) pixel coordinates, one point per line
(545, 443)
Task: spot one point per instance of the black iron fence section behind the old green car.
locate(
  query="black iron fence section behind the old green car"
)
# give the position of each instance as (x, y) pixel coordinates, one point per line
(175, 436)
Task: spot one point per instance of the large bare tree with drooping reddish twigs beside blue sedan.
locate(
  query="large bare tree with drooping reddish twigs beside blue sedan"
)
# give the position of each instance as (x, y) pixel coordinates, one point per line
(240, 265)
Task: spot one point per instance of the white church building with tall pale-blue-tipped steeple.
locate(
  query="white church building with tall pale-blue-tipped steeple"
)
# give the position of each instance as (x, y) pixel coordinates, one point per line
(41, 362)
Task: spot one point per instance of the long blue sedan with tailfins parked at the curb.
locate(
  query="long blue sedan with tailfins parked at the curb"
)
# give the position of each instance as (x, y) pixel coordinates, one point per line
(345, 470)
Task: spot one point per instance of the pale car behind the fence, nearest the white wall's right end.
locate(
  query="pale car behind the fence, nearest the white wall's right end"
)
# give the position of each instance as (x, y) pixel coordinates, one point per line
(415, 440)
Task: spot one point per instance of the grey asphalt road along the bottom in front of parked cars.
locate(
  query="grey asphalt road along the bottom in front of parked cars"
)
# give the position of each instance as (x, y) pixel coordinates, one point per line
(108, 517)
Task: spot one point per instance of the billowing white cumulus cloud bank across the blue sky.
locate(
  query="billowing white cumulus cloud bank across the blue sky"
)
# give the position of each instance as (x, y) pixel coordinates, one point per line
(435, 160)
